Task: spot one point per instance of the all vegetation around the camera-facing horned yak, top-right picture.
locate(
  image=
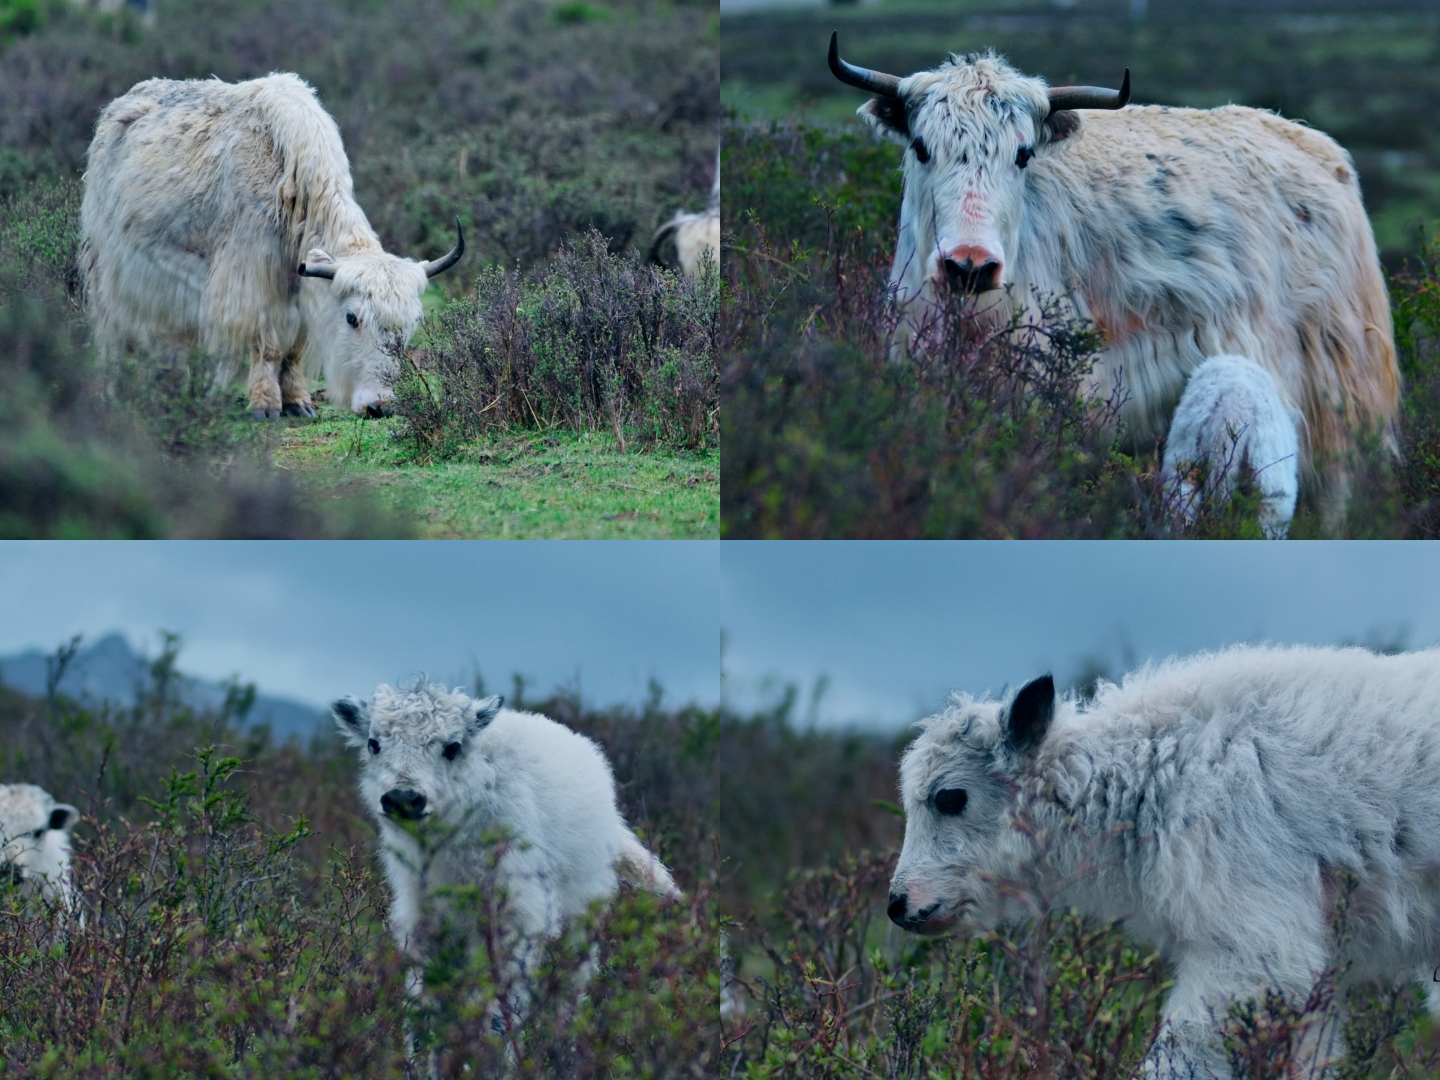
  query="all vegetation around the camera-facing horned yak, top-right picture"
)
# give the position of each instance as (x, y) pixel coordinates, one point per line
(827, 440)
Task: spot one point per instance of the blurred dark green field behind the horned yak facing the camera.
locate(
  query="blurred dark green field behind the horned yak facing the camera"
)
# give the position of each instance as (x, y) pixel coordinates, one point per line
(1356, 73)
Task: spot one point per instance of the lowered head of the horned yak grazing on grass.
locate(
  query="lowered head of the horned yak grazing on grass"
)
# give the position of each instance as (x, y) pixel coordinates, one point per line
(362, 320)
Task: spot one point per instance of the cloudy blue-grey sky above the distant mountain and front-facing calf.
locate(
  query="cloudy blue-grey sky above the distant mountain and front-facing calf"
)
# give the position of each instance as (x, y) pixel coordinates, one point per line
(313, 621)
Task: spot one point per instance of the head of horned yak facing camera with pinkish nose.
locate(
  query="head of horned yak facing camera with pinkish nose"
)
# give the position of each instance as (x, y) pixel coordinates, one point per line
(971, 130)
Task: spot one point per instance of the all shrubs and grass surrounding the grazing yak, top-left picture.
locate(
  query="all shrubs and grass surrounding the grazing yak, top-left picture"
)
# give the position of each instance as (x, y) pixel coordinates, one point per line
(559, 387)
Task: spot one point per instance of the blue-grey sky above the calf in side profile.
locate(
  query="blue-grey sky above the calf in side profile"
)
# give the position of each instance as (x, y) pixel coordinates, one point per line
(898, 626)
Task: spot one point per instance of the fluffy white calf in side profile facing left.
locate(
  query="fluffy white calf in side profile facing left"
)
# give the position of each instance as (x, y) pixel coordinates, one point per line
(1218, 806)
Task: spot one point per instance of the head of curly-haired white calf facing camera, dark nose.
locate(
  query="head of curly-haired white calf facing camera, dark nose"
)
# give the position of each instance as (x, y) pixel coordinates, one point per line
(418, 751)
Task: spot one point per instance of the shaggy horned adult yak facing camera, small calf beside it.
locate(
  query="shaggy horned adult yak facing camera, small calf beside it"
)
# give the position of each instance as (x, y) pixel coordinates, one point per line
(1184, 234)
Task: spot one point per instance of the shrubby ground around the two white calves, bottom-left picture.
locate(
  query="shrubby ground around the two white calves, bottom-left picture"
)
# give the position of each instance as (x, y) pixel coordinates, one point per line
(234, 911)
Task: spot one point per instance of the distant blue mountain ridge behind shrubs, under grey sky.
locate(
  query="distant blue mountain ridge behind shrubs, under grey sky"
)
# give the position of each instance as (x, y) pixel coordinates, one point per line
(113, 672)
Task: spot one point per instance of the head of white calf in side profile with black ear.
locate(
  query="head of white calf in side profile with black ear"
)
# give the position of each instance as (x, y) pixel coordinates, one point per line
(958, 781)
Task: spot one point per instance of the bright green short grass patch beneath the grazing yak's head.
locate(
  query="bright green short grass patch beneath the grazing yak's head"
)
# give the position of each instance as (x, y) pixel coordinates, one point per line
(545, 486)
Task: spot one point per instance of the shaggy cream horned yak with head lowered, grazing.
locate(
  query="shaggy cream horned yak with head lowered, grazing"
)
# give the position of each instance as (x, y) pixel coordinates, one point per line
(222, 215)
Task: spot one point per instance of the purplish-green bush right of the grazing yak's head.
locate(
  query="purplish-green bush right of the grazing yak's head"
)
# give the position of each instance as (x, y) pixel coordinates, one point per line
(594, 342)
